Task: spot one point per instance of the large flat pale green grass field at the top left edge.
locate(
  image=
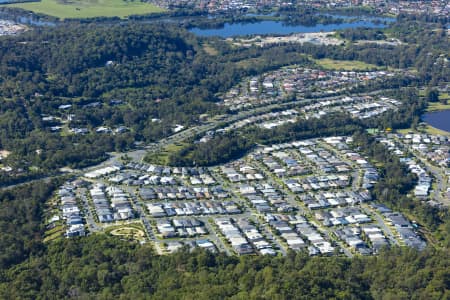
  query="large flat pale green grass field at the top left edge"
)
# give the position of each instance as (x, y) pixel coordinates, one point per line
(67, 9)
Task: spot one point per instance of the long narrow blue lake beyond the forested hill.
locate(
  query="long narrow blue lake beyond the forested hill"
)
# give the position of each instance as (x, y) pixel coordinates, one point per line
(277, 27)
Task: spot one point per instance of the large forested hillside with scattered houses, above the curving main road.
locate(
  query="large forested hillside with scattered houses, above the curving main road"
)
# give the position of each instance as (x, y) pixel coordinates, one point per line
(87, 76)
